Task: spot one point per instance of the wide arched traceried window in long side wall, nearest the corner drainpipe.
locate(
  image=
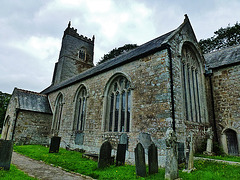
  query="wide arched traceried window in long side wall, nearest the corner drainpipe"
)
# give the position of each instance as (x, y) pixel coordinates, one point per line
(118, 105)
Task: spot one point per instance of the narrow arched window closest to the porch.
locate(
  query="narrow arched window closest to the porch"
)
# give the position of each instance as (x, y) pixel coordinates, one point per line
(57, 114)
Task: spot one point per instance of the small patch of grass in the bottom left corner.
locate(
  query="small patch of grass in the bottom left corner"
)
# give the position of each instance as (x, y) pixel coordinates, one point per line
(14, 173)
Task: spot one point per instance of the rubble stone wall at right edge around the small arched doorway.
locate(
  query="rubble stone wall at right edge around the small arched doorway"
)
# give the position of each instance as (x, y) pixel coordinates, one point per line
(226, 93)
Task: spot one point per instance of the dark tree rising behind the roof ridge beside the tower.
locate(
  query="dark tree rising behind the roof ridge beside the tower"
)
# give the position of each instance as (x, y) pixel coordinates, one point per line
(117, 51)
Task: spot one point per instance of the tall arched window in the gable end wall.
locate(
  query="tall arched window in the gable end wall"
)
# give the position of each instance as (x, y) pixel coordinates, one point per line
(192, 85)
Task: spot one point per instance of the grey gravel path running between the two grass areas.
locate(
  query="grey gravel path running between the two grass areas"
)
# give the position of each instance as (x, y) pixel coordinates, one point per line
(43, 171)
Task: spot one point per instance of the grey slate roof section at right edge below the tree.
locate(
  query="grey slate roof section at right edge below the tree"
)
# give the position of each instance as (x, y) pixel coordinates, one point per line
(223, 57)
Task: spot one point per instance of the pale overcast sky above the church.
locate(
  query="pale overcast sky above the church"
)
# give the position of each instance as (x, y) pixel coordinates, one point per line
(31, 30)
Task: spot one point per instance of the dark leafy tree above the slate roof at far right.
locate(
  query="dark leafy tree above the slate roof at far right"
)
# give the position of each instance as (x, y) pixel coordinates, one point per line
(223, 37)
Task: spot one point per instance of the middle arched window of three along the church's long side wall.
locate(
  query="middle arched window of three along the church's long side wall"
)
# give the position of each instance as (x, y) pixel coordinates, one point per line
(80, 109)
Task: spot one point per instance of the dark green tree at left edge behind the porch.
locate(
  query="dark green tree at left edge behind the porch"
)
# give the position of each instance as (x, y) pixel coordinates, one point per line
(4, 100)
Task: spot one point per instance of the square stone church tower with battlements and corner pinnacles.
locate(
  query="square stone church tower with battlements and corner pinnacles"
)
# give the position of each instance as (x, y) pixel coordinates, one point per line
(76, 55)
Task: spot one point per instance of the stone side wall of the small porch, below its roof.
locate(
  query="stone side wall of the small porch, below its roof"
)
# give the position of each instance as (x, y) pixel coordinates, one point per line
(32, 128)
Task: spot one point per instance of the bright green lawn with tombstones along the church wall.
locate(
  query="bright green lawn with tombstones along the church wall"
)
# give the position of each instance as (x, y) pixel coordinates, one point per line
(73, 161)
